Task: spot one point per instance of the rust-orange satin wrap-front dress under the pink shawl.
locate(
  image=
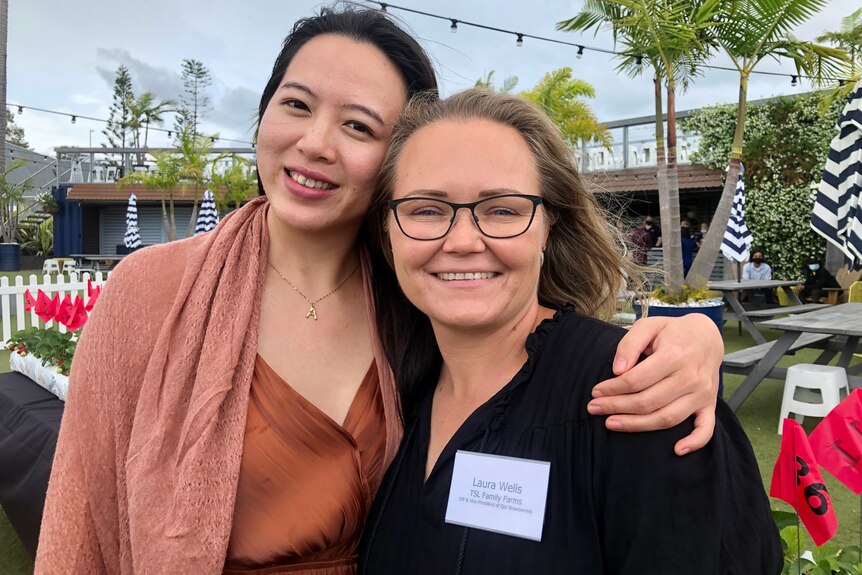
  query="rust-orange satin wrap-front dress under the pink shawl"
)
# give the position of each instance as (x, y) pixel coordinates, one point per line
(304, 484)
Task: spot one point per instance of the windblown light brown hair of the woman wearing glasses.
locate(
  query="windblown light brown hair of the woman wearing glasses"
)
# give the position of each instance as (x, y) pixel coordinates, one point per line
(584, 263)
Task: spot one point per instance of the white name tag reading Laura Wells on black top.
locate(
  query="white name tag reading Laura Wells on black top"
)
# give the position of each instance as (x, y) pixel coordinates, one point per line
(500, 494)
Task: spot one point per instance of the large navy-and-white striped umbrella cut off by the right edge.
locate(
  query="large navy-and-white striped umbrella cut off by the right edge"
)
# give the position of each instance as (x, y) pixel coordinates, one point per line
(837, 214)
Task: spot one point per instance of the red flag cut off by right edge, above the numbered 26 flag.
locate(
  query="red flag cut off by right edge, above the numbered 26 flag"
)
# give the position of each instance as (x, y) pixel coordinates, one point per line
(837, 442)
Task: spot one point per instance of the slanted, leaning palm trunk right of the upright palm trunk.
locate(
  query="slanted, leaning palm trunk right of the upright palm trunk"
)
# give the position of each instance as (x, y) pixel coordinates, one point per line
(709, 248)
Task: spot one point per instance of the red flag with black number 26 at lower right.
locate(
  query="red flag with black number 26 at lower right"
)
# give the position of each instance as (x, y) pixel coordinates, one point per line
(796, 479)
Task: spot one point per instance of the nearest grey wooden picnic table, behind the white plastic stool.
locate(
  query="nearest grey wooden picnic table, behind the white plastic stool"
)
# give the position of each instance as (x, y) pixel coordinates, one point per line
(840, 327)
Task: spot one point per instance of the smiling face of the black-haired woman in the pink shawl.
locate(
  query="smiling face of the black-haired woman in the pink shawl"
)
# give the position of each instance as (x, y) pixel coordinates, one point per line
(324, 133)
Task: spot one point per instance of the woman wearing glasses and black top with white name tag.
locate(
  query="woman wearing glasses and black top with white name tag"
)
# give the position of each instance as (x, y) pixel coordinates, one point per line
(501, 470)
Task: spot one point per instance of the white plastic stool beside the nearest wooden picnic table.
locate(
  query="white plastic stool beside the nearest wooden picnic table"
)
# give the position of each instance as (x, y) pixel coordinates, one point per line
(804, 381)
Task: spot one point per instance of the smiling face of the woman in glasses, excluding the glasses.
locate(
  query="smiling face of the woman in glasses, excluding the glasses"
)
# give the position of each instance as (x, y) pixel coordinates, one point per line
(465, 279)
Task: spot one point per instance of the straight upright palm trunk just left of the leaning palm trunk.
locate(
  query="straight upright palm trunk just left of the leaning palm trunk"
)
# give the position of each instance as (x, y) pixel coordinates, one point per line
(668, 195)
